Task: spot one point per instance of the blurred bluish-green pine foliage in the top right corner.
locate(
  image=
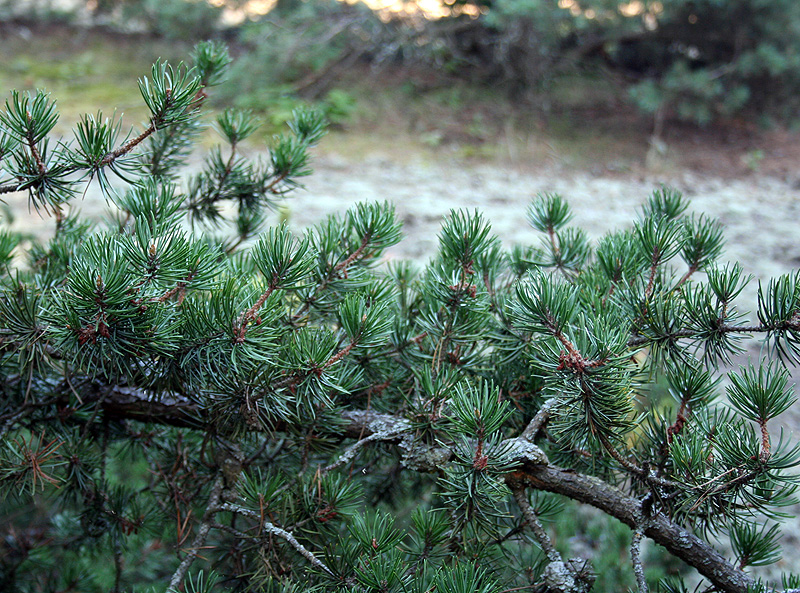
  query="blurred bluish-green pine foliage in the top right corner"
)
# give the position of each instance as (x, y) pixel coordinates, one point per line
(699, 77)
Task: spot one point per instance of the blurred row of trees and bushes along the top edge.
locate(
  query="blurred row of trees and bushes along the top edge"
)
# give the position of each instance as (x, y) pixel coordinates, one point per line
(691, 60)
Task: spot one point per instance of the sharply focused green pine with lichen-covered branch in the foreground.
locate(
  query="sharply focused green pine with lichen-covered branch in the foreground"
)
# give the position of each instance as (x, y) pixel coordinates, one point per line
(195, 401)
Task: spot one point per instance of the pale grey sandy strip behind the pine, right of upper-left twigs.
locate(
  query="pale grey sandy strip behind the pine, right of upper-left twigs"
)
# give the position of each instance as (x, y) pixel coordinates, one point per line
(759, 213)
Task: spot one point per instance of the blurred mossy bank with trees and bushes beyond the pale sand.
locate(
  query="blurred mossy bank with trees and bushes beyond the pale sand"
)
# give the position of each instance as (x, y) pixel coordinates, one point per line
(479, 78)
